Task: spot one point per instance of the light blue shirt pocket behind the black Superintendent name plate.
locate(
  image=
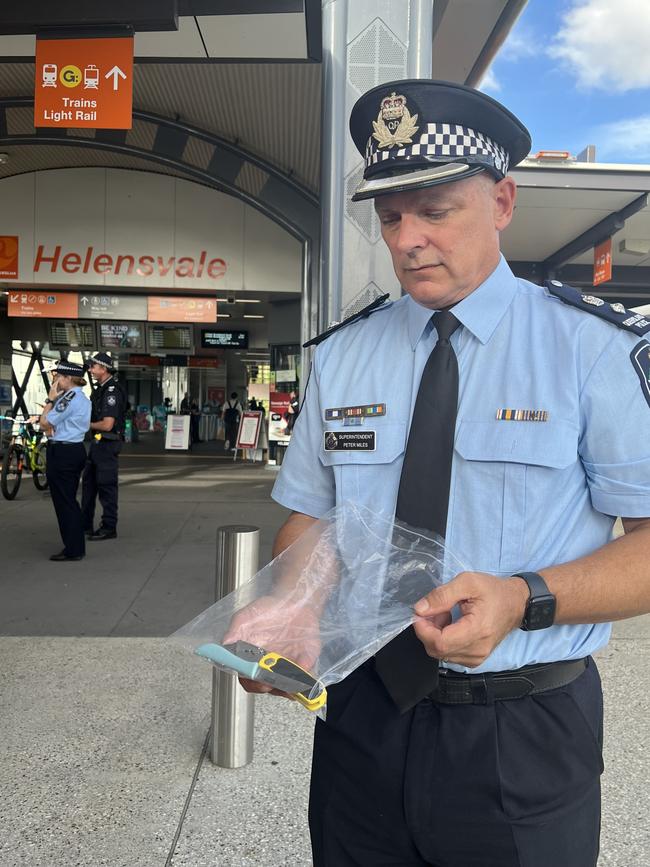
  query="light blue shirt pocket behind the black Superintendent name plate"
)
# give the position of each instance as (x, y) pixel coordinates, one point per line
(368, 476)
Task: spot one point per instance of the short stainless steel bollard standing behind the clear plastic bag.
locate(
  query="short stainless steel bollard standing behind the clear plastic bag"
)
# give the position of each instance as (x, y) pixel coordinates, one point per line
(232, 708)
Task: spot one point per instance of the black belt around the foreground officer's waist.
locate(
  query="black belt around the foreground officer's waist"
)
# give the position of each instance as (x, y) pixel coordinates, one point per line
(456, 688)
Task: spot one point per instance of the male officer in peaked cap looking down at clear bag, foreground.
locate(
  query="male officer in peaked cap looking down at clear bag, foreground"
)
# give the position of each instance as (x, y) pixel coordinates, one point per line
(495, 759)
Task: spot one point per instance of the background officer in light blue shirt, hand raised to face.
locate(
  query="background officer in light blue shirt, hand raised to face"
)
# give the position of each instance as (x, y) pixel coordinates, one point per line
(66, 415)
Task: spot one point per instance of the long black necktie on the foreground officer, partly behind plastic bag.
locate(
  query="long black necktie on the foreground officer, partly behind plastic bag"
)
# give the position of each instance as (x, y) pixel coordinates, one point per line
(406, 670)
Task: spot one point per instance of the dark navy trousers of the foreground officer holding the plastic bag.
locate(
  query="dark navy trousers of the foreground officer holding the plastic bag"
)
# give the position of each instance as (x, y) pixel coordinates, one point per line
(510, 784)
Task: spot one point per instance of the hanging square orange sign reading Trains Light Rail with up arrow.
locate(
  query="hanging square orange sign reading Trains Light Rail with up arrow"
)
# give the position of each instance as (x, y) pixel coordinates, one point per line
(84, 83)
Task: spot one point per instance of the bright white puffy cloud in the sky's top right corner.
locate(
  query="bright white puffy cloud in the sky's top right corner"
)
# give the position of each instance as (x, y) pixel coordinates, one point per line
(606, 43)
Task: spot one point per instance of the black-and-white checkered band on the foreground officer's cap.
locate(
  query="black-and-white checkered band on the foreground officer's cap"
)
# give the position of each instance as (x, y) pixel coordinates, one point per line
(447, 142)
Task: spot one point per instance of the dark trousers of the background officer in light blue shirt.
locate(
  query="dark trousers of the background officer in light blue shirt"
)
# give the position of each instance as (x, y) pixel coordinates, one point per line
(64, 465)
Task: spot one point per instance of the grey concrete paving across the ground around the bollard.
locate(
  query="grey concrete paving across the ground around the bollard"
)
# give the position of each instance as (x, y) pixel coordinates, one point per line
(104, 722)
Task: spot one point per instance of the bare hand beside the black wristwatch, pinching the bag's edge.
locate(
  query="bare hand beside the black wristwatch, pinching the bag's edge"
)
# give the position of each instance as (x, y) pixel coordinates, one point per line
(490, 608)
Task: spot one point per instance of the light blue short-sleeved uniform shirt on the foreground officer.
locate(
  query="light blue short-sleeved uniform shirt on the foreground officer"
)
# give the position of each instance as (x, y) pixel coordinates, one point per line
(524, 495)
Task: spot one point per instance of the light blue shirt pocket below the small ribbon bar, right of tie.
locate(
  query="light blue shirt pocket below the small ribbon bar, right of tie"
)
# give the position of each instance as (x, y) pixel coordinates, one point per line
(508, 480)
